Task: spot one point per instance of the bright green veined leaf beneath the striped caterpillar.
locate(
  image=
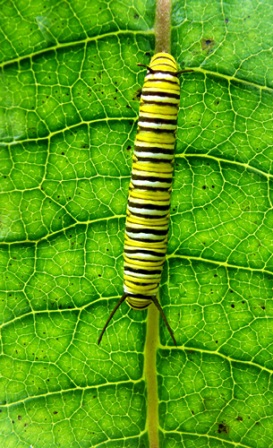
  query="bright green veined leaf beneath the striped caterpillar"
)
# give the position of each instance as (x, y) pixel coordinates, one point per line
(69, 103)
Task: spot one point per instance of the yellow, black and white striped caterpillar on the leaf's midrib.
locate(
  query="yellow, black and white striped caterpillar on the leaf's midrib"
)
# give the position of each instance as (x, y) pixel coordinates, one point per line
(147, 216)
